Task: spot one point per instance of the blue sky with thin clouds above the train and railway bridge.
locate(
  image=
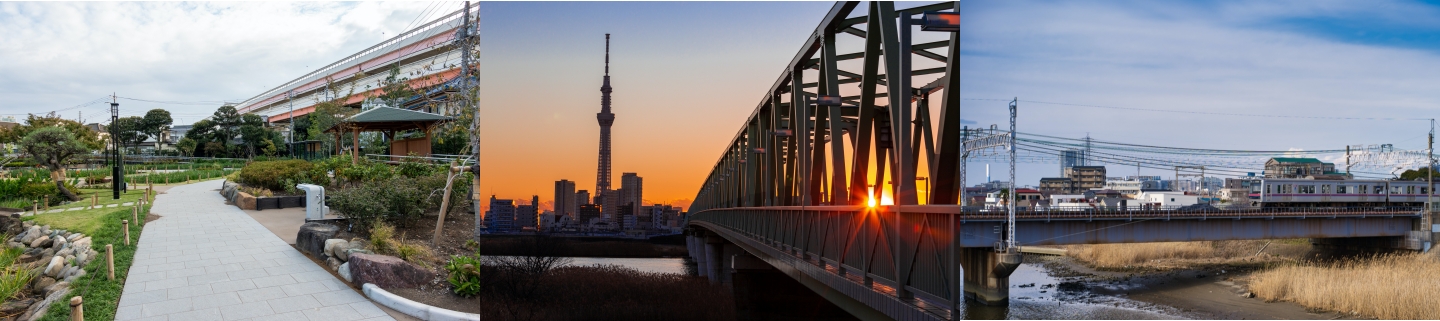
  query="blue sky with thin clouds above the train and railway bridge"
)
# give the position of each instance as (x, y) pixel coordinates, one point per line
(1343, 60)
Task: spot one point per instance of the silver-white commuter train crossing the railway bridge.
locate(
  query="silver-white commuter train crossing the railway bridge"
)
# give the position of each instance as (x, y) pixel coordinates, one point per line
(1338, 194)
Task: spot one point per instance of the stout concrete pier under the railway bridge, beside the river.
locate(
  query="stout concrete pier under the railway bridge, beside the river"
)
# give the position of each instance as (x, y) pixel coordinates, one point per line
(987, 274)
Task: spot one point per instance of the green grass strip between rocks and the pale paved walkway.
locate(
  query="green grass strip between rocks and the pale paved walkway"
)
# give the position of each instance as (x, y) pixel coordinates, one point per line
(102, 296)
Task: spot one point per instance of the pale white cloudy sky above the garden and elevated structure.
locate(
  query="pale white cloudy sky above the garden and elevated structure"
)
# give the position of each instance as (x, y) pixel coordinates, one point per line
(57, 55)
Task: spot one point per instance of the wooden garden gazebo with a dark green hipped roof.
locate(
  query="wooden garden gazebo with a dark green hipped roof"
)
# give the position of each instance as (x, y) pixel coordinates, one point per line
(391, 120)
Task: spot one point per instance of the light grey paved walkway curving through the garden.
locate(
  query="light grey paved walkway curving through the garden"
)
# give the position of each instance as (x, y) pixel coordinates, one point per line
(205, 260)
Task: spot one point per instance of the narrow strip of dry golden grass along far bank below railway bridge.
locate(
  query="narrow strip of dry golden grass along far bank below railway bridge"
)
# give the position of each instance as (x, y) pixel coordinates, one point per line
(1176, 254)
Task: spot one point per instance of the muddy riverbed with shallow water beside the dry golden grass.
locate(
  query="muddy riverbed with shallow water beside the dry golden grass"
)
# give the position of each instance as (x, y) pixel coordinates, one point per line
(1058, 287)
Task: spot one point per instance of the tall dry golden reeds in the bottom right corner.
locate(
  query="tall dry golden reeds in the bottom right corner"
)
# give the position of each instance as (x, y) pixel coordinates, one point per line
(1389, 287)
